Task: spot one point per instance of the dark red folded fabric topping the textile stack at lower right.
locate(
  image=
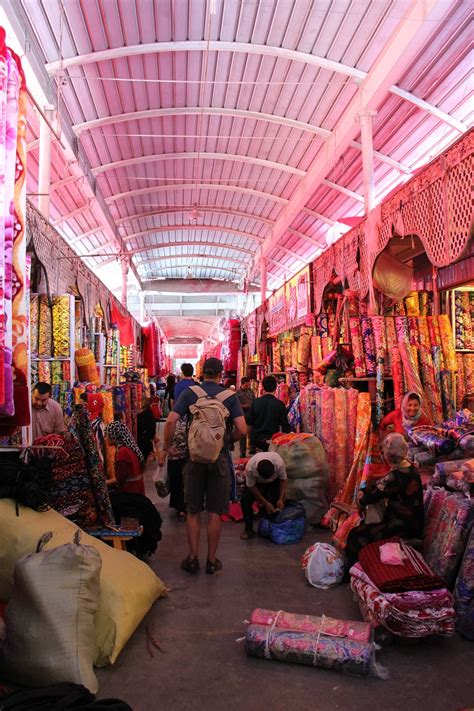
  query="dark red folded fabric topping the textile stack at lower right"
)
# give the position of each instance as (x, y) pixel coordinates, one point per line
(414, 574)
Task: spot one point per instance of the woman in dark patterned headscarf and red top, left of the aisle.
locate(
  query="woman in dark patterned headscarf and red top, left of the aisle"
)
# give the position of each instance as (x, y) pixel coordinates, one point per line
(128, 460)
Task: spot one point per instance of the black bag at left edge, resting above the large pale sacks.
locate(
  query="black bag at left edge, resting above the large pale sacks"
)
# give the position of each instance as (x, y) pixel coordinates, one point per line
(26, 482)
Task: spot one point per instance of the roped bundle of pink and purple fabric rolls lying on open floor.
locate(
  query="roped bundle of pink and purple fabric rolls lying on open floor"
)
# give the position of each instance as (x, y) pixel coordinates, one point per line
(321, 642)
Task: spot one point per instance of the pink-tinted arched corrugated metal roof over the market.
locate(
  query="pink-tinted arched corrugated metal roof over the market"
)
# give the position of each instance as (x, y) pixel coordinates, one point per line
(247, 111)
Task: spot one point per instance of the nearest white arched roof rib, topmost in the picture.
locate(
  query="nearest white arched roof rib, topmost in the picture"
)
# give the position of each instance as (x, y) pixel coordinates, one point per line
(258, 49)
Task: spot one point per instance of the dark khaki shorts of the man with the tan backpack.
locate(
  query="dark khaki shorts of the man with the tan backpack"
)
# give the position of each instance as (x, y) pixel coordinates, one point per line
(207, 486)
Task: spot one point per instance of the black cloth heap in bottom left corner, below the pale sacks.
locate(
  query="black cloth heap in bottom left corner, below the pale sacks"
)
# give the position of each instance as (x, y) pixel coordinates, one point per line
(59, 697)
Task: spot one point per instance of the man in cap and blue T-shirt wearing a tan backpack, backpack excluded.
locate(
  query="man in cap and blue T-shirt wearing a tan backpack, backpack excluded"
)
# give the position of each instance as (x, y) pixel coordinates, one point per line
(206, 486)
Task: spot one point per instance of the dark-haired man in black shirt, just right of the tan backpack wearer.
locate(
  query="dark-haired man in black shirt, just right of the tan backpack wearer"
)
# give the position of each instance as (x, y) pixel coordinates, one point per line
(267, 416)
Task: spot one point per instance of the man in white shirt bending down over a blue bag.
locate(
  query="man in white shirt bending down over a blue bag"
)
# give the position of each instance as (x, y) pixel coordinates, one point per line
(265, 482)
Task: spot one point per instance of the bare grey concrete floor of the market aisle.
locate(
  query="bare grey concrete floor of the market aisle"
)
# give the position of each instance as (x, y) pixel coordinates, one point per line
(202, 666)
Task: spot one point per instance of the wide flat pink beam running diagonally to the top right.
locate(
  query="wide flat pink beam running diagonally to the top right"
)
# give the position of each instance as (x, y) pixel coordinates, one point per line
(402, 46)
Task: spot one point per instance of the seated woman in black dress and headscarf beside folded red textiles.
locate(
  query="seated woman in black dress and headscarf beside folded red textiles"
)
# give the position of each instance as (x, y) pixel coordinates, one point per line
(401, 491)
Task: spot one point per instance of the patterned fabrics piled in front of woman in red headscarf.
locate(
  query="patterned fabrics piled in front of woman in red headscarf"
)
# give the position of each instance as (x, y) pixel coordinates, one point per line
(453, 438)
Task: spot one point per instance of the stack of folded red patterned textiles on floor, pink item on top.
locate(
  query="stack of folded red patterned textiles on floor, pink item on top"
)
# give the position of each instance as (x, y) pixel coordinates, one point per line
(407, 598)
